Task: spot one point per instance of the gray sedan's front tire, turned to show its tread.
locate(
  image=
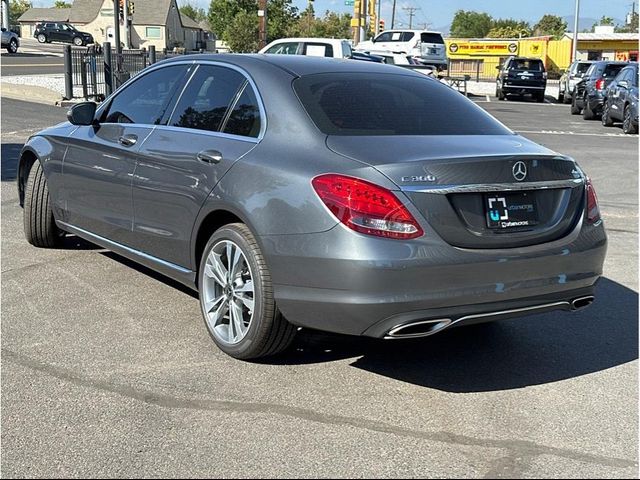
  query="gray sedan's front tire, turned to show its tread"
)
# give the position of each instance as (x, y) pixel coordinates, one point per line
(40, 227)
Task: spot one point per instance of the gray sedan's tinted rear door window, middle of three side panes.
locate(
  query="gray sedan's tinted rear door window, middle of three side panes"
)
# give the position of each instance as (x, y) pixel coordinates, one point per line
(206, 98)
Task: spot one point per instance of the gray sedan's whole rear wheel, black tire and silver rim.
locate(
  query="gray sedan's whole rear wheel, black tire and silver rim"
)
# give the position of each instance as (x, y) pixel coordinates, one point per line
(236, 296)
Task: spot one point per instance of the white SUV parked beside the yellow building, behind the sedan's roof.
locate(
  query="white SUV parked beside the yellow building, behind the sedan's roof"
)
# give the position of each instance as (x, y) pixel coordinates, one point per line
(426, 45)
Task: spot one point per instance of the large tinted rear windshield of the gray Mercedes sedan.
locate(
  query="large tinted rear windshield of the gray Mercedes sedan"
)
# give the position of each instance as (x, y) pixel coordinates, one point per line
(390, 104)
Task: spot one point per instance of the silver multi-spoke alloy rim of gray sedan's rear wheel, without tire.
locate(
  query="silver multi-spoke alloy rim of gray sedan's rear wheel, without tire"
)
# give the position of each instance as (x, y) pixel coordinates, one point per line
(228, 292)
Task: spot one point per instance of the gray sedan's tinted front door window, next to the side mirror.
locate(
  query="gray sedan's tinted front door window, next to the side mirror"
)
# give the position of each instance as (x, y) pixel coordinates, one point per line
(145, 100)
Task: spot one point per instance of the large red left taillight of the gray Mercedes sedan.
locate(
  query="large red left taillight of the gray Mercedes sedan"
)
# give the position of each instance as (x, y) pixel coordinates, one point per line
(365, 207)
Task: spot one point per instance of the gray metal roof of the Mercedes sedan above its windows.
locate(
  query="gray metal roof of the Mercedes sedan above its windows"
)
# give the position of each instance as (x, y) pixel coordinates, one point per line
(296, 65)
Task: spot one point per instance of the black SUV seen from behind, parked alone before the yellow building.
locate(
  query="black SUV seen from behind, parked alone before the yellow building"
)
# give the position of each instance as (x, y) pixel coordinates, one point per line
(521, 76)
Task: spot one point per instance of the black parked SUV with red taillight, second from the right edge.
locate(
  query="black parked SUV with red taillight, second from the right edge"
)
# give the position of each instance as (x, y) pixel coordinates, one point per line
(588, 96)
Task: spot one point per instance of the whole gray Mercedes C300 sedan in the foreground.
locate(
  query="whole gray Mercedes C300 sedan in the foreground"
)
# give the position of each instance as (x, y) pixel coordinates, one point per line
(294, 191)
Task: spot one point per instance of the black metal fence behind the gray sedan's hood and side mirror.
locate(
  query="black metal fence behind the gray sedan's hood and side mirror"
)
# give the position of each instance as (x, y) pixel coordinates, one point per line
(95, 72)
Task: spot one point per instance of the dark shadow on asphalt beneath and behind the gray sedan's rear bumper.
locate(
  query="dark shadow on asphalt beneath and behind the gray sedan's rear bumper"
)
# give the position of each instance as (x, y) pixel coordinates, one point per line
(495, 356)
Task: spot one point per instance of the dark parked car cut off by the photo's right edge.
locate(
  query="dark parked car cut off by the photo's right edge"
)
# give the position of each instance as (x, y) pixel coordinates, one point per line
(621, 100)
